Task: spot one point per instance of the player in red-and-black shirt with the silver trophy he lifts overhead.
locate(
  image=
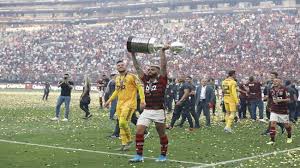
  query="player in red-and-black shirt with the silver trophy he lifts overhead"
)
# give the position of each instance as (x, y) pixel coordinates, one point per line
(155, 83)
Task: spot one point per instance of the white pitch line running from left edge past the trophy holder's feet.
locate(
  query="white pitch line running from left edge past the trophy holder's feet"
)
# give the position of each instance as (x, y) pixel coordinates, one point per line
(92, 151)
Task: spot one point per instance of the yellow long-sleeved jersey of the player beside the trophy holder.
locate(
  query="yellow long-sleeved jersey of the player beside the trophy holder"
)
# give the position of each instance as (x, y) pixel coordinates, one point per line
(126, 90)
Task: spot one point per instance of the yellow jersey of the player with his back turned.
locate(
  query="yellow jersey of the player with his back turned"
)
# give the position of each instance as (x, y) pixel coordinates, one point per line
(229, 87)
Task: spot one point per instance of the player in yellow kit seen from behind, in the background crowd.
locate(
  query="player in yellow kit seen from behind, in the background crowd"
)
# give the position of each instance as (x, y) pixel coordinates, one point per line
(231, 101)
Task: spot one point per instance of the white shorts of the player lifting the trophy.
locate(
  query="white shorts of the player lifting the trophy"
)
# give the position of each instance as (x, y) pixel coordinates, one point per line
(148, 116)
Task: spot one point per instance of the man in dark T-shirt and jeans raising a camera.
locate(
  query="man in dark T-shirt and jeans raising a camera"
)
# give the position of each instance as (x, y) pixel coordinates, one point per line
(65, 97)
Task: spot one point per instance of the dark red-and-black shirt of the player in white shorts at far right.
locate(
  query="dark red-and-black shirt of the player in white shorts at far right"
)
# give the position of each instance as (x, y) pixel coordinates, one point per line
(278, 93)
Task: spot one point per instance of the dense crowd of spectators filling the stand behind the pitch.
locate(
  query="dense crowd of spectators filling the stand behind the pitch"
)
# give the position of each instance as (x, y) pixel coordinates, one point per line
(250, 43)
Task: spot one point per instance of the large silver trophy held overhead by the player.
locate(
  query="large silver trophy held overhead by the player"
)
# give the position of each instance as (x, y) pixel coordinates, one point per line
(150, 45)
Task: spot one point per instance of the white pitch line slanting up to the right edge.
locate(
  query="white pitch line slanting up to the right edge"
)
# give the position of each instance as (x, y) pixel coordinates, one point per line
(247, 158)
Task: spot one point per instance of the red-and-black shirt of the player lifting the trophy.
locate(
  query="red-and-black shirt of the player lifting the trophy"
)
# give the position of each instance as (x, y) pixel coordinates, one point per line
(155, 92)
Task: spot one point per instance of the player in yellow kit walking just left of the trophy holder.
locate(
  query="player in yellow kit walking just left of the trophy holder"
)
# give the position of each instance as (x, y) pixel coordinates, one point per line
(127, 85)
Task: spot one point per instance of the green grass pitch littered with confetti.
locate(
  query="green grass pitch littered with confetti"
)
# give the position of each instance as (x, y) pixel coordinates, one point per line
(29, 139)
